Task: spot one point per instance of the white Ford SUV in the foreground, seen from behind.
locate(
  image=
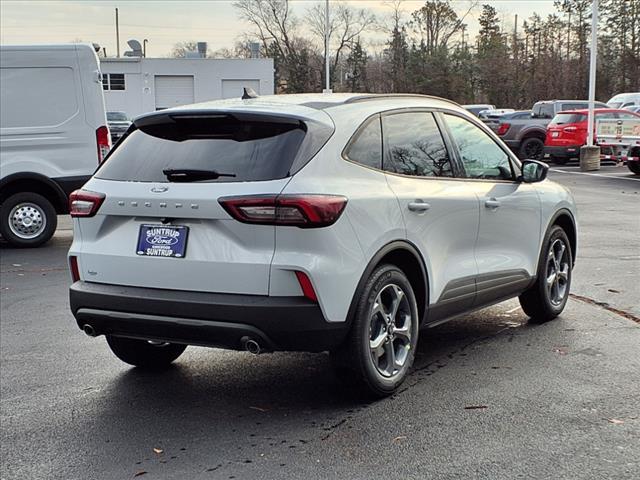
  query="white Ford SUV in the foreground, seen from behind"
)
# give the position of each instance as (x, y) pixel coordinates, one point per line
(339, 222)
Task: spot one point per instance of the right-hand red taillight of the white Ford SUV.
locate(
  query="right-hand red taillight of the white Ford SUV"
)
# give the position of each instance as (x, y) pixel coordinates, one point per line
(304, 211)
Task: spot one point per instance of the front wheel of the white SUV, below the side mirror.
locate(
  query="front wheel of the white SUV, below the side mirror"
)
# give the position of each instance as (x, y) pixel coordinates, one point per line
(546, 299)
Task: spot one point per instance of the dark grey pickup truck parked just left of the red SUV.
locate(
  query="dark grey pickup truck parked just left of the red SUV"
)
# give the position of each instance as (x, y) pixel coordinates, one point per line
(526, 136)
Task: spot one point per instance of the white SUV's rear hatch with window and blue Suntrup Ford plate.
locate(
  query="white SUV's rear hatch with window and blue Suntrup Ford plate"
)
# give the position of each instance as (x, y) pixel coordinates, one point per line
(160, 224)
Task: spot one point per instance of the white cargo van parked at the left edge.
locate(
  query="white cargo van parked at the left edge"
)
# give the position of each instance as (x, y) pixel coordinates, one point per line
(53, 134)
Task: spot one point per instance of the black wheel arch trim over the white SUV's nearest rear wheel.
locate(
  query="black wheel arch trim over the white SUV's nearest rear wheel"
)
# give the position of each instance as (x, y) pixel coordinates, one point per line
(407, 257)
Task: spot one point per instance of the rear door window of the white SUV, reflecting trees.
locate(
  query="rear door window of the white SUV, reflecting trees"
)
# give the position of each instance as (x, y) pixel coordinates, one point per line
(414, 145)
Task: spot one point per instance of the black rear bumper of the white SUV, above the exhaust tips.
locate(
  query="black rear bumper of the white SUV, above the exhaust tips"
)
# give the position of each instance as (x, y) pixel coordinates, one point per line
(207, 319)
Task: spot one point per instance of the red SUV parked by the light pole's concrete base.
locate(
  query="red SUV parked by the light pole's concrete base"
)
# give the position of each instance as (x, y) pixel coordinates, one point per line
(567, 132)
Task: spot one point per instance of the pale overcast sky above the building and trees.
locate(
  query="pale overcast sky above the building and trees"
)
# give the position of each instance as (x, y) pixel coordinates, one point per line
(163, 23)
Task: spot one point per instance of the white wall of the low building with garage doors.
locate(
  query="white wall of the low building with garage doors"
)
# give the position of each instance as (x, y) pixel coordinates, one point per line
(139, 97)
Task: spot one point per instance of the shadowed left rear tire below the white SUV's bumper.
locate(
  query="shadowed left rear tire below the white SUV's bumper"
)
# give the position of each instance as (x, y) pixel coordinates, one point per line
(144, 354)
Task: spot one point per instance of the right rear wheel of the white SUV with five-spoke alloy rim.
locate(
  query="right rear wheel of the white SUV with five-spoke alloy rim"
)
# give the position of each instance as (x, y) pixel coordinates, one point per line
(380, 348)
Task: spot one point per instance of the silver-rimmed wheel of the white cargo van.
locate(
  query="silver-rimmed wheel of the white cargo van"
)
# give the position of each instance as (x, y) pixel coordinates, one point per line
(27, 220)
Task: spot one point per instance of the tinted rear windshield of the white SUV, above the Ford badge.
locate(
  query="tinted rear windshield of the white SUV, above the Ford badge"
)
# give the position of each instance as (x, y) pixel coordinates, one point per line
(251, 150)
